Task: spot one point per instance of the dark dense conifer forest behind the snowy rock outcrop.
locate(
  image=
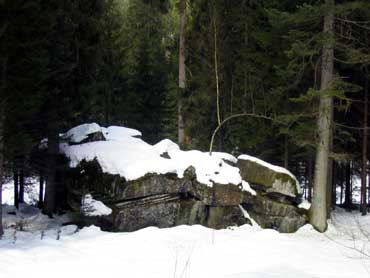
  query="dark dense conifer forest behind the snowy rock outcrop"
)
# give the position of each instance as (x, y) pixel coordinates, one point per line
(115, 62)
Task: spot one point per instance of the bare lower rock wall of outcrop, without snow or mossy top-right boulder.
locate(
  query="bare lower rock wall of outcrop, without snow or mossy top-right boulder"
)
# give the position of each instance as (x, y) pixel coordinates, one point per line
(166, 201)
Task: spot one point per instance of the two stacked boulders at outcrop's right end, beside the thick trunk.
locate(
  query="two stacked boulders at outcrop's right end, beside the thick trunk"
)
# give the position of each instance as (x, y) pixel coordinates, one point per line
(275, 205)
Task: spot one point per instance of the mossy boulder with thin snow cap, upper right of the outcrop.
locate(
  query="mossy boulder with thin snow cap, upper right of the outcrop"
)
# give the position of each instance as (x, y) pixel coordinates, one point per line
(270, 178)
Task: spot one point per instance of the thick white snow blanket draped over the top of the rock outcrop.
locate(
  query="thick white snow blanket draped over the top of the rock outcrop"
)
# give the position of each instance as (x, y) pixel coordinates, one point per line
(130, 157)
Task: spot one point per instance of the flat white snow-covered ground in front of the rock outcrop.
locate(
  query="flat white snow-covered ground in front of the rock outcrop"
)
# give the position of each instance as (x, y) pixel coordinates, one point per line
(191, 251)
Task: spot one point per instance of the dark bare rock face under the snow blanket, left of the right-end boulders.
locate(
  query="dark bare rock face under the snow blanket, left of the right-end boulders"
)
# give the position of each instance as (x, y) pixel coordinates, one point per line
(156, 200)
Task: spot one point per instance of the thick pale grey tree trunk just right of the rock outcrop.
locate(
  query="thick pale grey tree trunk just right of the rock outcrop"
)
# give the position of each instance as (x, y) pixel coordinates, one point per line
(318, 210)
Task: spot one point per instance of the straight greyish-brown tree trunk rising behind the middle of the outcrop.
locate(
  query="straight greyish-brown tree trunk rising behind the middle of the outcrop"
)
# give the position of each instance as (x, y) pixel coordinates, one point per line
(182, 73)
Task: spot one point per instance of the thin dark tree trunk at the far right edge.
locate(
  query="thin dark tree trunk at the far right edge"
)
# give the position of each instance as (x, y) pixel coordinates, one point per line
(364, 153)
